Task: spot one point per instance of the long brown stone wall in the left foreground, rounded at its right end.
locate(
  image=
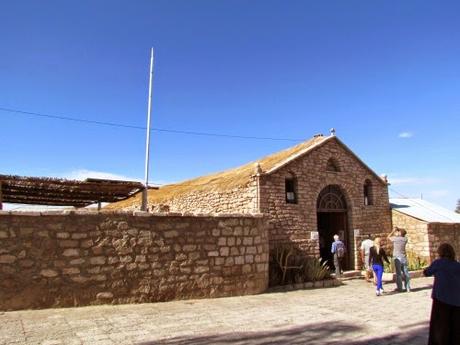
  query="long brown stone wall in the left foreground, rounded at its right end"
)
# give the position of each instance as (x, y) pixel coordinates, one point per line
(78, 258)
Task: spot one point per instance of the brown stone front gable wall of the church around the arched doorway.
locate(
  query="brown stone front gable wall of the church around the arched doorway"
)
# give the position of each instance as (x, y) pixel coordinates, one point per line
(297, 223)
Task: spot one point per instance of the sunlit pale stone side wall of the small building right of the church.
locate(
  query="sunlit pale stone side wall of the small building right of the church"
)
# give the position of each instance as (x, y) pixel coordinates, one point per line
(417, 234)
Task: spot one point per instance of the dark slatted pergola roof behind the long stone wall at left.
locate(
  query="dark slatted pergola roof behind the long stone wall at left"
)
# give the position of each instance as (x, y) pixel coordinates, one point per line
(62, 192)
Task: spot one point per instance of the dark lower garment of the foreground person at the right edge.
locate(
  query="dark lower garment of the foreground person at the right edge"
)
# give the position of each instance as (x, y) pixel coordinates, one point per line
(444, 324)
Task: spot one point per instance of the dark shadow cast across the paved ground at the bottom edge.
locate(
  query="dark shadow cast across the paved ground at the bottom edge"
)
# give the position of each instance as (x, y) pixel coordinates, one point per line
(312, 334)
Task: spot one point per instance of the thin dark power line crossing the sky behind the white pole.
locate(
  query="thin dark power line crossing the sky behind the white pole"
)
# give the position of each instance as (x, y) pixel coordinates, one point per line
(121, 125)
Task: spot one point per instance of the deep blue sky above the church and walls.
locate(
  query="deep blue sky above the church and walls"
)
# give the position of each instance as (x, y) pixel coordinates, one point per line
(385, 74)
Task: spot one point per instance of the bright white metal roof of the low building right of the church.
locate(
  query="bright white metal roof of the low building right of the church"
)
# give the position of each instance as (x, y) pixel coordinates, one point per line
(424, 210)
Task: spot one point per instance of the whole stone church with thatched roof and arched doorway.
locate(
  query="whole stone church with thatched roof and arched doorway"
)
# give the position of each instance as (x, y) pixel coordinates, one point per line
(309, 192)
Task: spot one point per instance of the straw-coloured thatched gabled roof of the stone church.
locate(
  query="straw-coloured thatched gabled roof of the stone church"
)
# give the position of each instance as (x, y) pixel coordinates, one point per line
(236, 177)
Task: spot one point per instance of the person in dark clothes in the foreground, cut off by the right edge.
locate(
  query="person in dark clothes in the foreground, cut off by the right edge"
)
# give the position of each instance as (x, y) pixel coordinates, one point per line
(445, 311)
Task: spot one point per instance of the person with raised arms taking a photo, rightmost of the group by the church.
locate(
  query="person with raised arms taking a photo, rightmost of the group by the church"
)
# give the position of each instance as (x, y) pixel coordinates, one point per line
(399, 239)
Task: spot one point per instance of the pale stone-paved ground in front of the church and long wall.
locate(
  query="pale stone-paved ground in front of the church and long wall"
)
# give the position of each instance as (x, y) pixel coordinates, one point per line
(350, 314)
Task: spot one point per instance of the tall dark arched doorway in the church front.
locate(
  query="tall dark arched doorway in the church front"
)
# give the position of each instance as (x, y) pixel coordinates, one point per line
(332, 219)
